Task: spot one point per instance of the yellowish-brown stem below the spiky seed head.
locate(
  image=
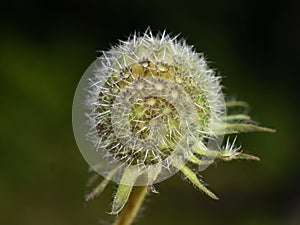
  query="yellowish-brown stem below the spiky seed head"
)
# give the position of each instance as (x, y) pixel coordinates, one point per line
(132, 206)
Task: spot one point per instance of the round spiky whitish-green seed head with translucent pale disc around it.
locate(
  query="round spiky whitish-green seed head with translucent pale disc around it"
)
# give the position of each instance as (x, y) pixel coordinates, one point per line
(148, 104)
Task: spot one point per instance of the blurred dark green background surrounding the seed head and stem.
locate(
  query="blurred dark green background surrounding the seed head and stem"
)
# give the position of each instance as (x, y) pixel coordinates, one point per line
(45, 46)
